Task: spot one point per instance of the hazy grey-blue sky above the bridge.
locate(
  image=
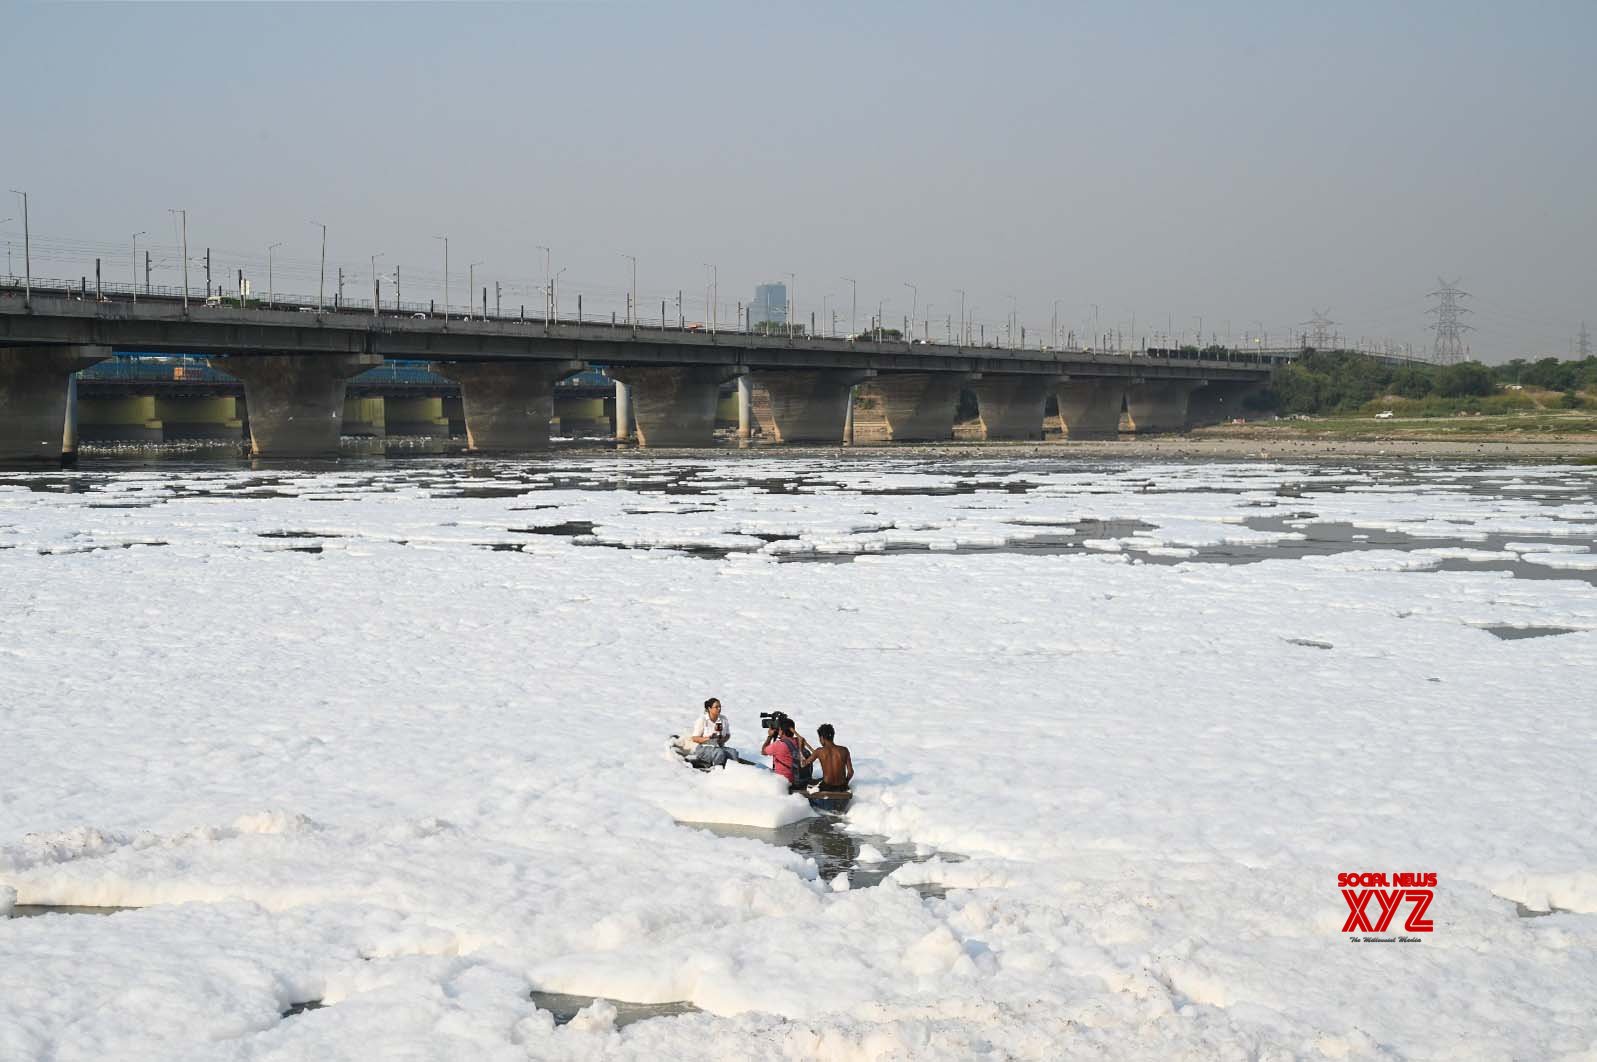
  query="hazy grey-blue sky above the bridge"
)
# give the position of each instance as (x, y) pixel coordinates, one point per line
(1245, 162)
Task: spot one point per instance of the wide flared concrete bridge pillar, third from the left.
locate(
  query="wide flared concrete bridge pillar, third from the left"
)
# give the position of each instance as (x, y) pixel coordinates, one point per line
(509, 403)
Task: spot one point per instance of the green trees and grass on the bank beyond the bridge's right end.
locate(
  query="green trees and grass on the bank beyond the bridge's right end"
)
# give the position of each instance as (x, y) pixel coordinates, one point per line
(1345, 382)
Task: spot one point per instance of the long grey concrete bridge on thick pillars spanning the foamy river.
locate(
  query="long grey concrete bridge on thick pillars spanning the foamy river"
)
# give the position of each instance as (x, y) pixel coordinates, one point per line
(295, 367)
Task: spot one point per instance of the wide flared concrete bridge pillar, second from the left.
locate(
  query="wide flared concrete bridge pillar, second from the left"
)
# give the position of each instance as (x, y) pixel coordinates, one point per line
(295, 402)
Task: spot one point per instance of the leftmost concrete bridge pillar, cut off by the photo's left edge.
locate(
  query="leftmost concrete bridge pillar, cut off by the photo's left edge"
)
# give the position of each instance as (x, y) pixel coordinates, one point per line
(34, 400)
